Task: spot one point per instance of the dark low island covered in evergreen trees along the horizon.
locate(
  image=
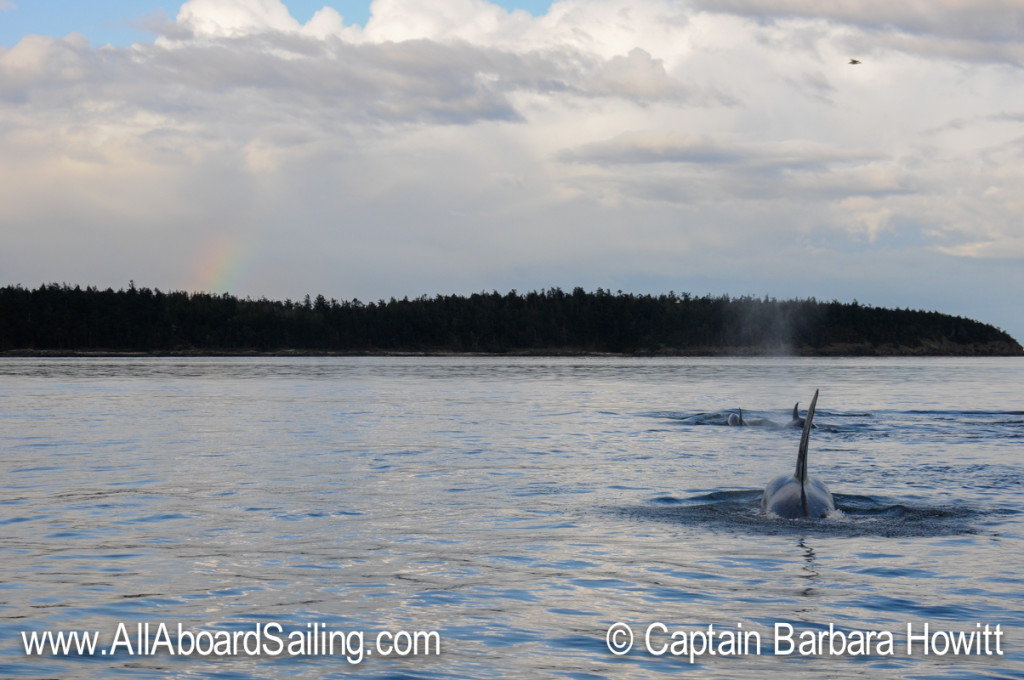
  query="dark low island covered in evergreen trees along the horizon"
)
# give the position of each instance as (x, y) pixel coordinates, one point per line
(61, 319)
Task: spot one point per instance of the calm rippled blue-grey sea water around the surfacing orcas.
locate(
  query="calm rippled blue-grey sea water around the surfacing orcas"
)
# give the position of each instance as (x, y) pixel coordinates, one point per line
(518, 507)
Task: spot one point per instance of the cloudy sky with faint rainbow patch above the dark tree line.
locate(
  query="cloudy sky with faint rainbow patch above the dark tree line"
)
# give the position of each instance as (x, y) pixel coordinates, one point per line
(403, 148)
